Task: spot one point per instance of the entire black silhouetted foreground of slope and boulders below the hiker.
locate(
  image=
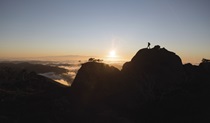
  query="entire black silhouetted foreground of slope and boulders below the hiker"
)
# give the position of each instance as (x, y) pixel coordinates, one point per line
(153, 87)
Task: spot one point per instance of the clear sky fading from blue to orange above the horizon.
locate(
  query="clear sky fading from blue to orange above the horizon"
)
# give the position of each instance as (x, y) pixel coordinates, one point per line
(94, 27)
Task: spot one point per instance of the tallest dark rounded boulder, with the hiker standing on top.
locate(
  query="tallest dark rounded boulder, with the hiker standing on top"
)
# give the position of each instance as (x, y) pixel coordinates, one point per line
(155, 71)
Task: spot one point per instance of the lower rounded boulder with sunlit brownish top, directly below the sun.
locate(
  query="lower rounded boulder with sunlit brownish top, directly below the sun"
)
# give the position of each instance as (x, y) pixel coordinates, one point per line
(94, 83)
